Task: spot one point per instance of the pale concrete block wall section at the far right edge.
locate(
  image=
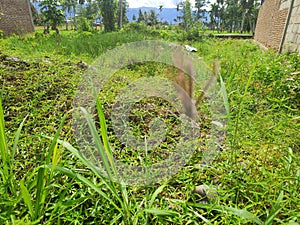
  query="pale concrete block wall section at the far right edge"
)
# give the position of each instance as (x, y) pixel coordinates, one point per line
(292, 38)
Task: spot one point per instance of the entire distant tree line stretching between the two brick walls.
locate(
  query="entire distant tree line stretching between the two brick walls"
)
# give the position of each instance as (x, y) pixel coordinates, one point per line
(229, 15)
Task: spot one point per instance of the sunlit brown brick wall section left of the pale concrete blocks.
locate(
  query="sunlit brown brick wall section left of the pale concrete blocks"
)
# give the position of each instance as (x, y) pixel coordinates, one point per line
(271, 22)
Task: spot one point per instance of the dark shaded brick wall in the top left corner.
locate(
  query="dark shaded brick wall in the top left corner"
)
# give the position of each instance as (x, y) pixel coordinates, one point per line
(15, 17)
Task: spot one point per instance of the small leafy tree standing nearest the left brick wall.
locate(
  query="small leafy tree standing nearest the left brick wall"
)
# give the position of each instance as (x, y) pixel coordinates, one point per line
(53, 14)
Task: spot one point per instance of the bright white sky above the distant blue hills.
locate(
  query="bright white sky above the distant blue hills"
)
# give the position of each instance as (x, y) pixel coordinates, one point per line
(156, 3)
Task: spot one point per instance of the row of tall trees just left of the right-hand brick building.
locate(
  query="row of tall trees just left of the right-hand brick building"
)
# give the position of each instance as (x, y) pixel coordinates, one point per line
(229, 15)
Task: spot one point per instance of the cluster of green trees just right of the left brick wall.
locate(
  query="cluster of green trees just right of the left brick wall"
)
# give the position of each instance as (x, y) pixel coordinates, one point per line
(112, 13)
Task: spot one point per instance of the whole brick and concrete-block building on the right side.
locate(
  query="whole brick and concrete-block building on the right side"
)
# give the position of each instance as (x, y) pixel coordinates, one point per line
(278, 25)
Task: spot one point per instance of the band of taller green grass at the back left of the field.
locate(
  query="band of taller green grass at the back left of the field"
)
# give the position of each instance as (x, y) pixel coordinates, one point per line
(71, 45)
